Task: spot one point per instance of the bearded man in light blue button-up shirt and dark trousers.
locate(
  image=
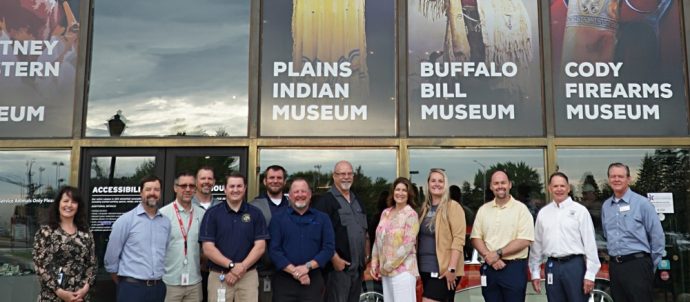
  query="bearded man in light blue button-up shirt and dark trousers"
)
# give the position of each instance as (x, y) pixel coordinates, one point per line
(135, 256)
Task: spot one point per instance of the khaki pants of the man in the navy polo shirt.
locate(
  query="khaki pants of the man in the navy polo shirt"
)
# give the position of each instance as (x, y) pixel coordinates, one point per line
(246, 289)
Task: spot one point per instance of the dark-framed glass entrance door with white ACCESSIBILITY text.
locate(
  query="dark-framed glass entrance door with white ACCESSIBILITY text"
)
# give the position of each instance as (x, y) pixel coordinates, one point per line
(110, 184)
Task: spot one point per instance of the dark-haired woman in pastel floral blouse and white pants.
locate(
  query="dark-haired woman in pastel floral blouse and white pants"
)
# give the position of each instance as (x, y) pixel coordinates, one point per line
(394, 258)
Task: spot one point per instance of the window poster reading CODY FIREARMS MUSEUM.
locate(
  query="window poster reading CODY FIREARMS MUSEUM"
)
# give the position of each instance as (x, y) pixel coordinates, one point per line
(618, 68)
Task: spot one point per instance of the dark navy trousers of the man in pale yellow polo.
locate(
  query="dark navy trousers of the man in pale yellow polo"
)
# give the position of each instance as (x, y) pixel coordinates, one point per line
(506, 285)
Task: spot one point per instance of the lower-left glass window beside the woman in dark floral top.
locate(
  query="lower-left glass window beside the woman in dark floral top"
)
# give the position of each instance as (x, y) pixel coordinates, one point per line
(28, 182)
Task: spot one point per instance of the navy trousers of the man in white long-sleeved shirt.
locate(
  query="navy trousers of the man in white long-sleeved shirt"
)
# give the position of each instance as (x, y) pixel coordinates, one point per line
(567, 280)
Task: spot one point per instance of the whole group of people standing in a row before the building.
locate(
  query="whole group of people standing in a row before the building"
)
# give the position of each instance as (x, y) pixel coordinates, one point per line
(287, 249)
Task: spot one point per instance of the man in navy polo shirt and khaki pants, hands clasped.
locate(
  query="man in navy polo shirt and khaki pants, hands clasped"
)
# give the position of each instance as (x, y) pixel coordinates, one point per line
(233, 236)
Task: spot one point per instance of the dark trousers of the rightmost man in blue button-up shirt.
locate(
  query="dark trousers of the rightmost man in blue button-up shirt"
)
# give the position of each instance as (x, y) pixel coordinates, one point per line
(633, 280)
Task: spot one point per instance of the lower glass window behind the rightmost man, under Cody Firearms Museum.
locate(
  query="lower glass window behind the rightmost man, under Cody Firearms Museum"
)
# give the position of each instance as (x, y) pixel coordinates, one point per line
(659, 170)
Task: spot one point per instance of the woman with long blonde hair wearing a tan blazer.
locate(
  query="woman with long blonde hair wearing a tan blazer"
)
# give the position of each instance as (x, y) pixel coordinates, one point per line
(441, 239)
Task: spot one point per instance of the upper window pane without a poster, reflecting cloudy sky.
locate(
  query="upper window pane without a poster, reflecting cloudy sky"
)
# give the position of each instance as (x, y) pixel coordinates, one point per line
(169, 68)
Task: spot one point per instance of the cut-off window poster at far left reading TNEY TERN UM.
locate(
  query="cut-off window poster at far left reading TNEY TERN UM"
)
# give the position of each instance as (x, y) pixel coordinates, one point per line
(38, 57)
